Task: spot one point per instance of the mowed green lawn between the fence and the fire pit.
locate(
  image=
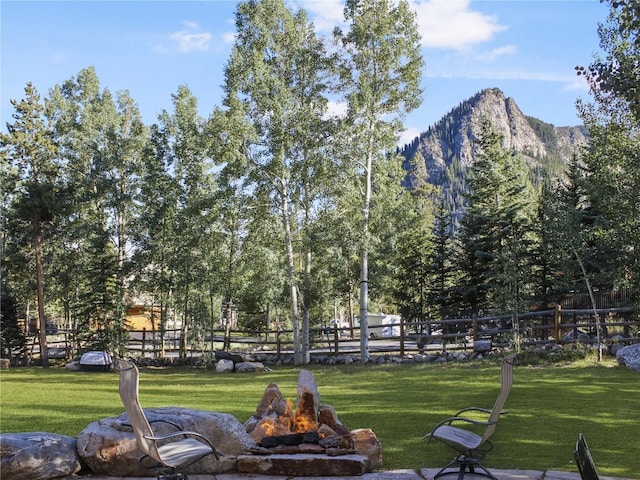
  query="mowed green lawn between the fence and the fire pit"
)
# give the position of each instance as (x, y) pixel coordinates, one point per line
(547, 408)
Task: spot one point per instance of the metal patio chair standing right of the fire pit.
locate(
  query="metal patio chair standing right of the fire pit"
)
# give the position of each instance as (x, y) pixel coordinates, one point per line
(472, 443)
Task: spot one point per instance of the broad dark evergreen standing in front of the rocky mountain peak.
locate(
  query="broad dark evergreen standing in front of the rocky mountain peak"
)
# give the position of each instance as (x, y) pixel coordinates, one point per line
(498, 236)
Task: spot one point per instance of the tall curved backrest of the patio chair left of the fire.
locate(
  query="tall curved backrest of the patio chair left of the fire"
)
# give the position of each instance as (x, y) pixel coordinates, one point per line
(129, 378)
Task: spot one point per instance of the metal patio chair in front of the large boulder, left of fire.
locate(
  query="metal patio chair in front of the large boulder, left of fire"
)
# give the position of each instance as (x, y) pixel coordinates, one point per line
(170, 453)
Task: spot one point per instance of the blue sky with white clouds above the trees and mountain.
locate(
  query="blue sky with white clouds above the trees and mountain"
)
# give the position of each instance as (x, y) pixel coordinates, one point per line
(526, 48)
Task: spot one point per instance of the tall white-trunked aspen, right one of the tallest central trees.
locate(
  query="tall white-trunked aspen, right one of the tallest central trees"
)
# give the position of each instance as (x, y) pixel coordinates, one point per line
(380, 70)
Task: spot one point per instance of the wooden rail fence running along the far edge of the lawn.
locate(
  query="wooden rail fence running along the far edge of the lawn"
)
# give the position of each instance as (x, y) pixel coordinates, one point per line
(554, 326)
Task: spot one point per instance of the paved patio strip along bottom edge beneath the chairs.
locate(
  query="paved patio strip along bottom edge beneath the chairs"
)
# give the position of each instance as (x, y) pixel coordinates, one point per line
(424, 474)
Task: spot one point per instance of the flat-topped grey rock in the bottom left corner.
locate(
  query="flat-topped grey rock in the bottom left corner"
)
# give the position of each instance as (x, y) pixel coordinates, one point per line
(37, 456)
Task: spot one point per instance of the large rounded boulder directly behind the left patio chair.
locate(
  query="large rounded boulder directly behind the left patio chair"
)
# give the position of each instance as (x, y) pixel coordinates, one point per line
(109, 447)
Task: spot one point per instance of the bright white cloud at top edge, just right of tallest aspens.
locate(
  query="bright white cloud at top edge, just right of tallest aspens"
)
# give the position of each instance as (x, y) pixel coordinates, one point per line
(451, 24)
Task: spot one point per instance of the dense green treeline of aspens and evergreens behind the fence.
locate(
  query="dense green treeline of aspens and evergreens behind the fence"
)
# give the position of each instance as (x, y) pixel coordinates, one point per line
(275, 210)
